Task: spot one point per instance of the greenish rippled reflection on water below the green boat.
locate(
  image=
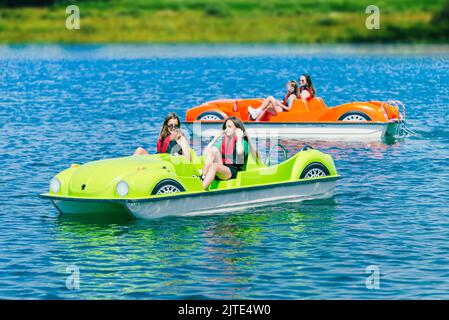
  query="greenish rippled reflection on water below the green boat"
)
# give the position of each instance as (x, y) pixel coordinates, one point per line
(217, 256)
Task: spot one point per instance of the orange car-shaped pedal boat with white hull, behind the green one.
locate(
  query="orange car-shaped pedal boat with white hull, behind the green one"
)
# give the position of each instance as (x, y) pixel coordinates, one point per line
(312, 120)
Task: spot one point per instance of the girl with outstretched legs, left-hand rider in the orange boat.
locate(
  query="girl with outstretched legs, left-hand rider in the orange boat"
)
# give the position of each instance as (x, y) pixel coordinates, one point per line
(274, 106)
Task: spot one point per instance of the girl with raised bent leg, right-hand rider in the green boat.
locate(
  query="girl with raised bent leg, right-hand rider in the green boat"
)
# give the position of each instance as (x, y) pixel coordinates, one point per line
(227, 153)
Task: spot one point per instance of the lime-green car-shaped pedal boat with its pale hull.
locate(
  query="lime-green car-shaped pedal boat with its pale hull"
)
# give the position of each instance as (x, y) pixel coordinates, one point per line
(153, 186)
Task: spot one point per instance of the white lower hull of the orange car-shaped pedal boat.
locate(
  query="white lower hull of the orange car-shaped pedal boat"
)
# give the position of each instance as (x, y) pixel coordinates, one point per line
(339, 131)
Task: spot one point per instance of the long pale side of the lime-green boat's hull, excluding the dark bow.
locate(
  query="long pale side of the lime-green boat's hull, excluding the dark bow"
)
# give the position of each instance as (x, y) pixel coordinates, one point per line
(232, 200)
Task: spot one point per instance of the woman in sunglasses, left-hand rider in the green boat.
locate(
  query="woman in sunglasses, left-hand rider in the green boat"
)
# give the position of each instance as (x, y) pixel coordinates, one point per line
(171, 139)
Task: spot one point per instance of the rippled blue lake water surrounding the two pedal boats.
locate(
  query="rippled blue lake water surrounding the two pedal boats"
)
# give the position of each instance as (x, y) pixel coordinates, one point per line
(63, 105)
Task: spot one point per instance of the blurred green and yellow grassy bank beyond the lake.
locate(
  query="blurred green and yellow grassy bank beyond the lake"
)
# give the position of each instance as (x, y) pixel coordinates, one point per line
(225, 21)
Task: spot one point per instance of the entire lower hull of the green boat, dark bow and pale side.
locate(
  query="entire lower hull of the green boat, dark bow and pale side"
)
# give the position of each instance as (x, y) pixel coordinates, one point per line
(201, 203)
